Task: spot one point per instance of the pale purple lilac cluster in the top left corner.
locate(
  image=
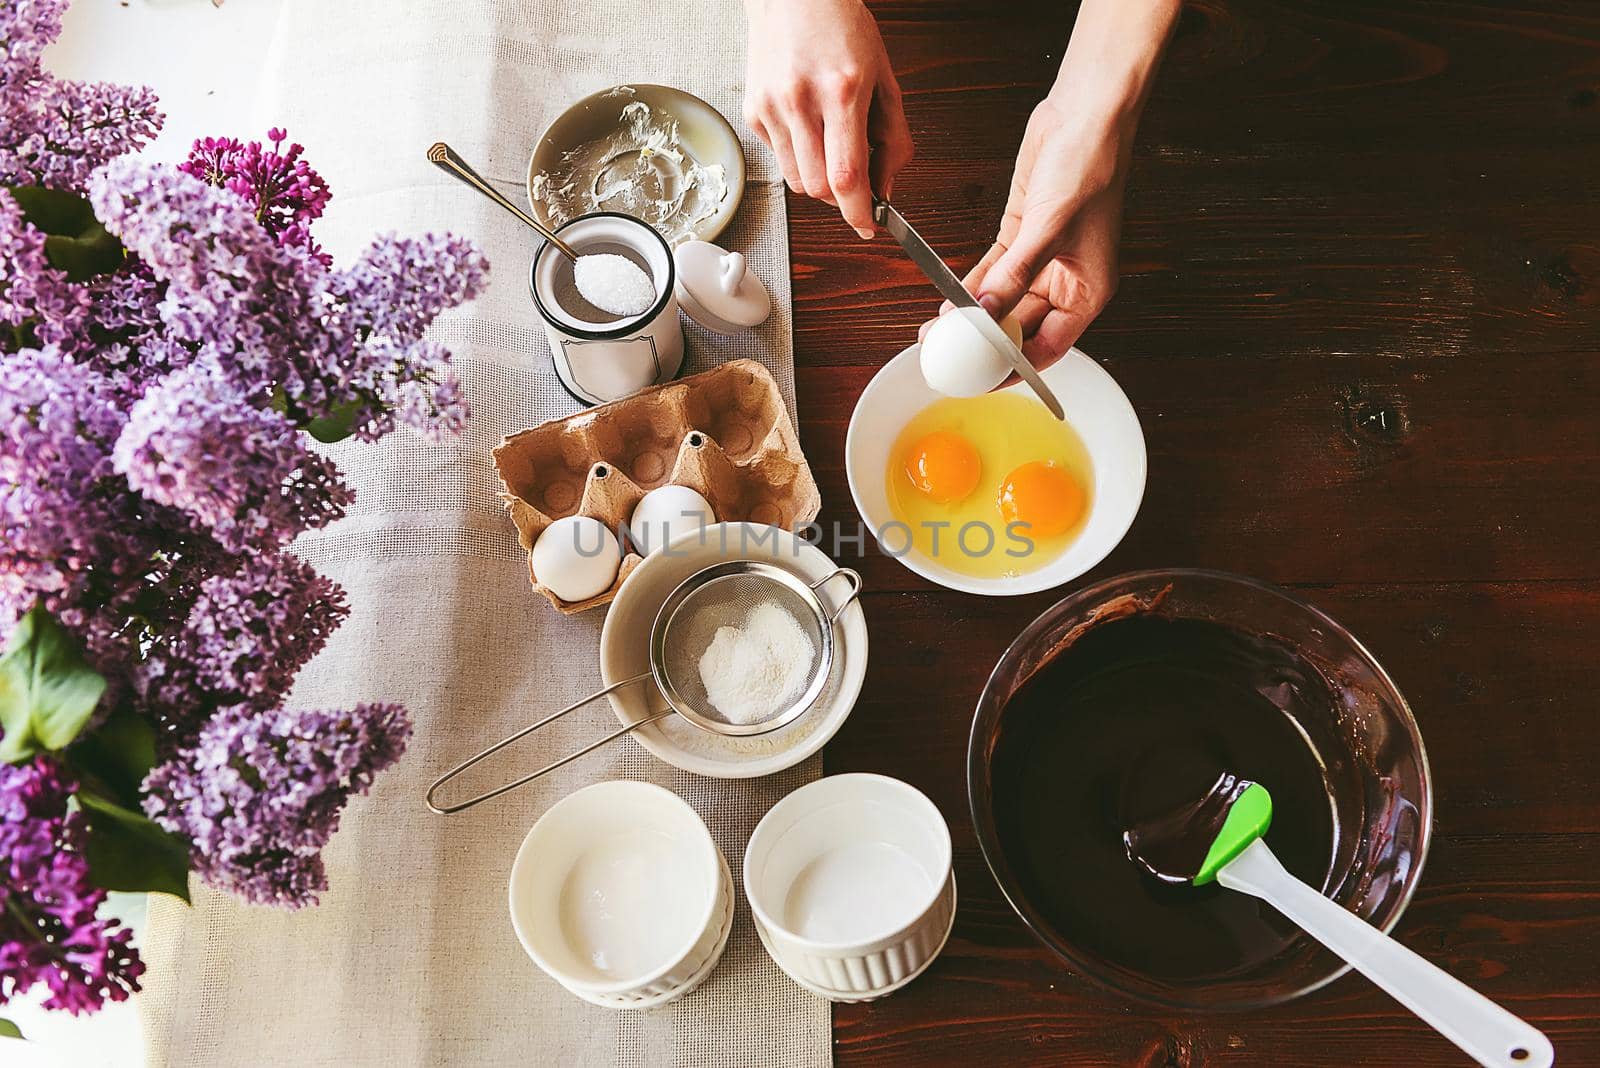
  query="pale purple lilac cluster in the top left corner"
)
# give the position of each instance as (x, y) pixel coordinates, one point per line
(54, 132)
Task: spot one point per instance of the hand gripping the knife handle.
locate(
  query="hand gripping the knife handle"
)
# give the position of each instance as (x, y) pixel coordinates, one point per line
(822, 94)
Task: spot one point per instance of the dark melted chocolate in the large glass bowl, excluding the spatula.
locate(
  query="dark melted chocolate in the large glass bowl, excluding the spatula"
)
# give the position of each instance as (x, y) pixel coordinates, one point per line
(1132, 722)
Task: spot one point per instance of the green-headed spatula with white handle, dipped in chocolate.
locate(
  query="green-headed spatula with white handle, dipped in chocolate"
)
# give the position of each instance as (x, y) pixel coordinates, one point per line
(1236, 815)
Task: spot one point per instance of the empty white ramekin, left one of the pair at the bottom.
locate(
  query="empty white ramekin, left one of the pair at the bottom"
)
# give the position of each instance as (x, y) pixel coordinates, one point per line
(622, 896)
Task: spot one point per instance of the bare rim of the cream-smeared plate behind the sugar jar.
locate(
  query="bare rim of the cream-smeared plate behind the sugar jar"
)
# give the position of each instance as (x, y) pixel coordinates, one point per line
(703, 132)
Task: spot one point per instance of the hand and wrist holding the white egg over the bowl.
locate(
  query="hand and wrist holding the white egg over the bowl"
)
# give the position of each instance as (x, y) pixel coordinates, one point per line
(1055, 260)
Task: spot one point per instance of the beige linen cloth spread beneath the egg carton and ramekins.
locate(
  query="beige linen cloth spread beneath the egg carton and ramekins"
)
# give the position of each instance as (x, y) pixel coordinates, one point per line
(410, 958)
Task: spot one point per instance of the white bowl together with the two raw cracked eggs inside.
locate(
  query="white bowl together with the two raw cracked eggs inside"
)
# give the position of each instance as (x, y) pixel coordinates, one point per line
(993, 495)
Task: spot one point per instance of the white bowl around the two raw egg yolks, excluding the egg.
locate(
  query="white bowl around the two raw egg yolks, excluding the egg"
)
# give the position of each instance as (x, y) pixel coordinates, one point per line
(1097, 408)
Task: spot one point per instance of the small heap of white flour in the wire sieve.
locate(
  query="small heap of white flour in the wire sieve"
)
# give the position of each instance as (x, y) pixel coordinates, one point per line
(754, 672)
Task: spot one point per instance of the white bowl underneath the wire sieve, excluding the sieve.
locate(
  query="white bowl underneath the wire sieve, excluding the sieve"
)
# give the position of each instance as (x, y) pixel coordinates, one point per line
(625, 653)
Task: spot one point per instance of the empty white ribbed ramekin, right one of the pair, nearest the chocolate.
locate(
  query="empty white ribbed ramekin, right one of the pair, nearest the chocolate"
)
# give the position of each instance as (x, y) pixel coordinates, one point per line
(852, 887)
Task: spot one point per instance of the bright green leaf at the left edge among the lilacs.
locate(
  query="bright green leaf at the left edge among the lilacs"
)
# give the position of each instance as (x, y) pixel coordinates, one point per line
(47, 690)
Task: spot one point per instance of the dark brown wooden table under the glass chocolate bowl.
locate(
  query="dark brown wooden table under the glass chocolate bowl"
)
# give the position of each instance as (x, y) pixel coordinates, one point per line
(1361, 322)
